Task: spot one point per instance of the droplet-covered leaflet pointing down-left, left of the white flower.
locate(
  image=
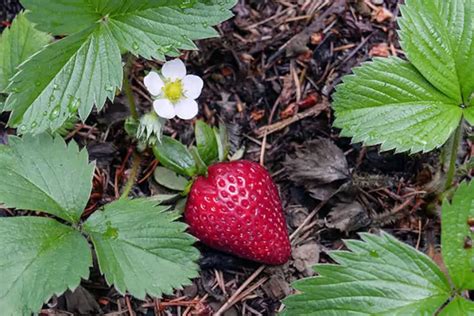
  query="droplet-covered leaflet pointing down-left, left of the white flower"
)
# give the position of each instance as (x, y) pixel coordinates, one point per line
(67, 77)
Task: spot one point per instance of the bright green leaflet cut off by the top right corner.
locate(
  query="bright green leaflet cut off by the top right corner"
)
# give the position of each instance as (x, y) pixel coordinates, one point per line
(438, 38)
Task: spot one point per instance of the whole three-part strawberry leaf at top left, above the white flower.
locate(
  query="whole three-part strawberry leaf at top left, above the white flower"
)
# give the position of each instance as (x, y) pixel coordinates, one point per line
(85, 68)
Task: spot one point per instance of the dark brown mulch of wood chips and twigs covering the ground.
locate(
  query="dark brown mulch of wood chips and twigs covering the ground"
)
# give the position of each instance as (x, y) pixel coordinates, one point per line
(277, 62)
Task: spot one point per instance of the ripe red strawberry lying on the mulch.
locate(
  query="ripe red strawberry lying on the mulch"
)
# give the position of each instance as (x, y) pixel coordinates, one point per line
(237, 209)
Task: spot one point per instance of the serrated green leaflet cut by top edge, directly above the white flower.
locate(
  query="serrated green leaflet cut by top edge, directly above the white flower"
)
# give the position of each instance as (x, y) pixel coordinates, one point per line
(157, 32)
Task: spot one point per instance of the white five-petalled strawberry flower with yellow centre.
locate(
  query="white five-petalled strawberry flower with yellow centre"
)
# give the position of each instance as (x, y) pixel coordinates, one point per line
(175, 92)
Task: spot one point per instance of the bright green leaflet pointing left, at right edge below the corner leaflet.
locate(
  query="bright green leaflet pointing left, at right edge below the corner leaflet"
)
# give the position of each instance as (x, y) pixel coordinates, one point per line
(388, 102)
